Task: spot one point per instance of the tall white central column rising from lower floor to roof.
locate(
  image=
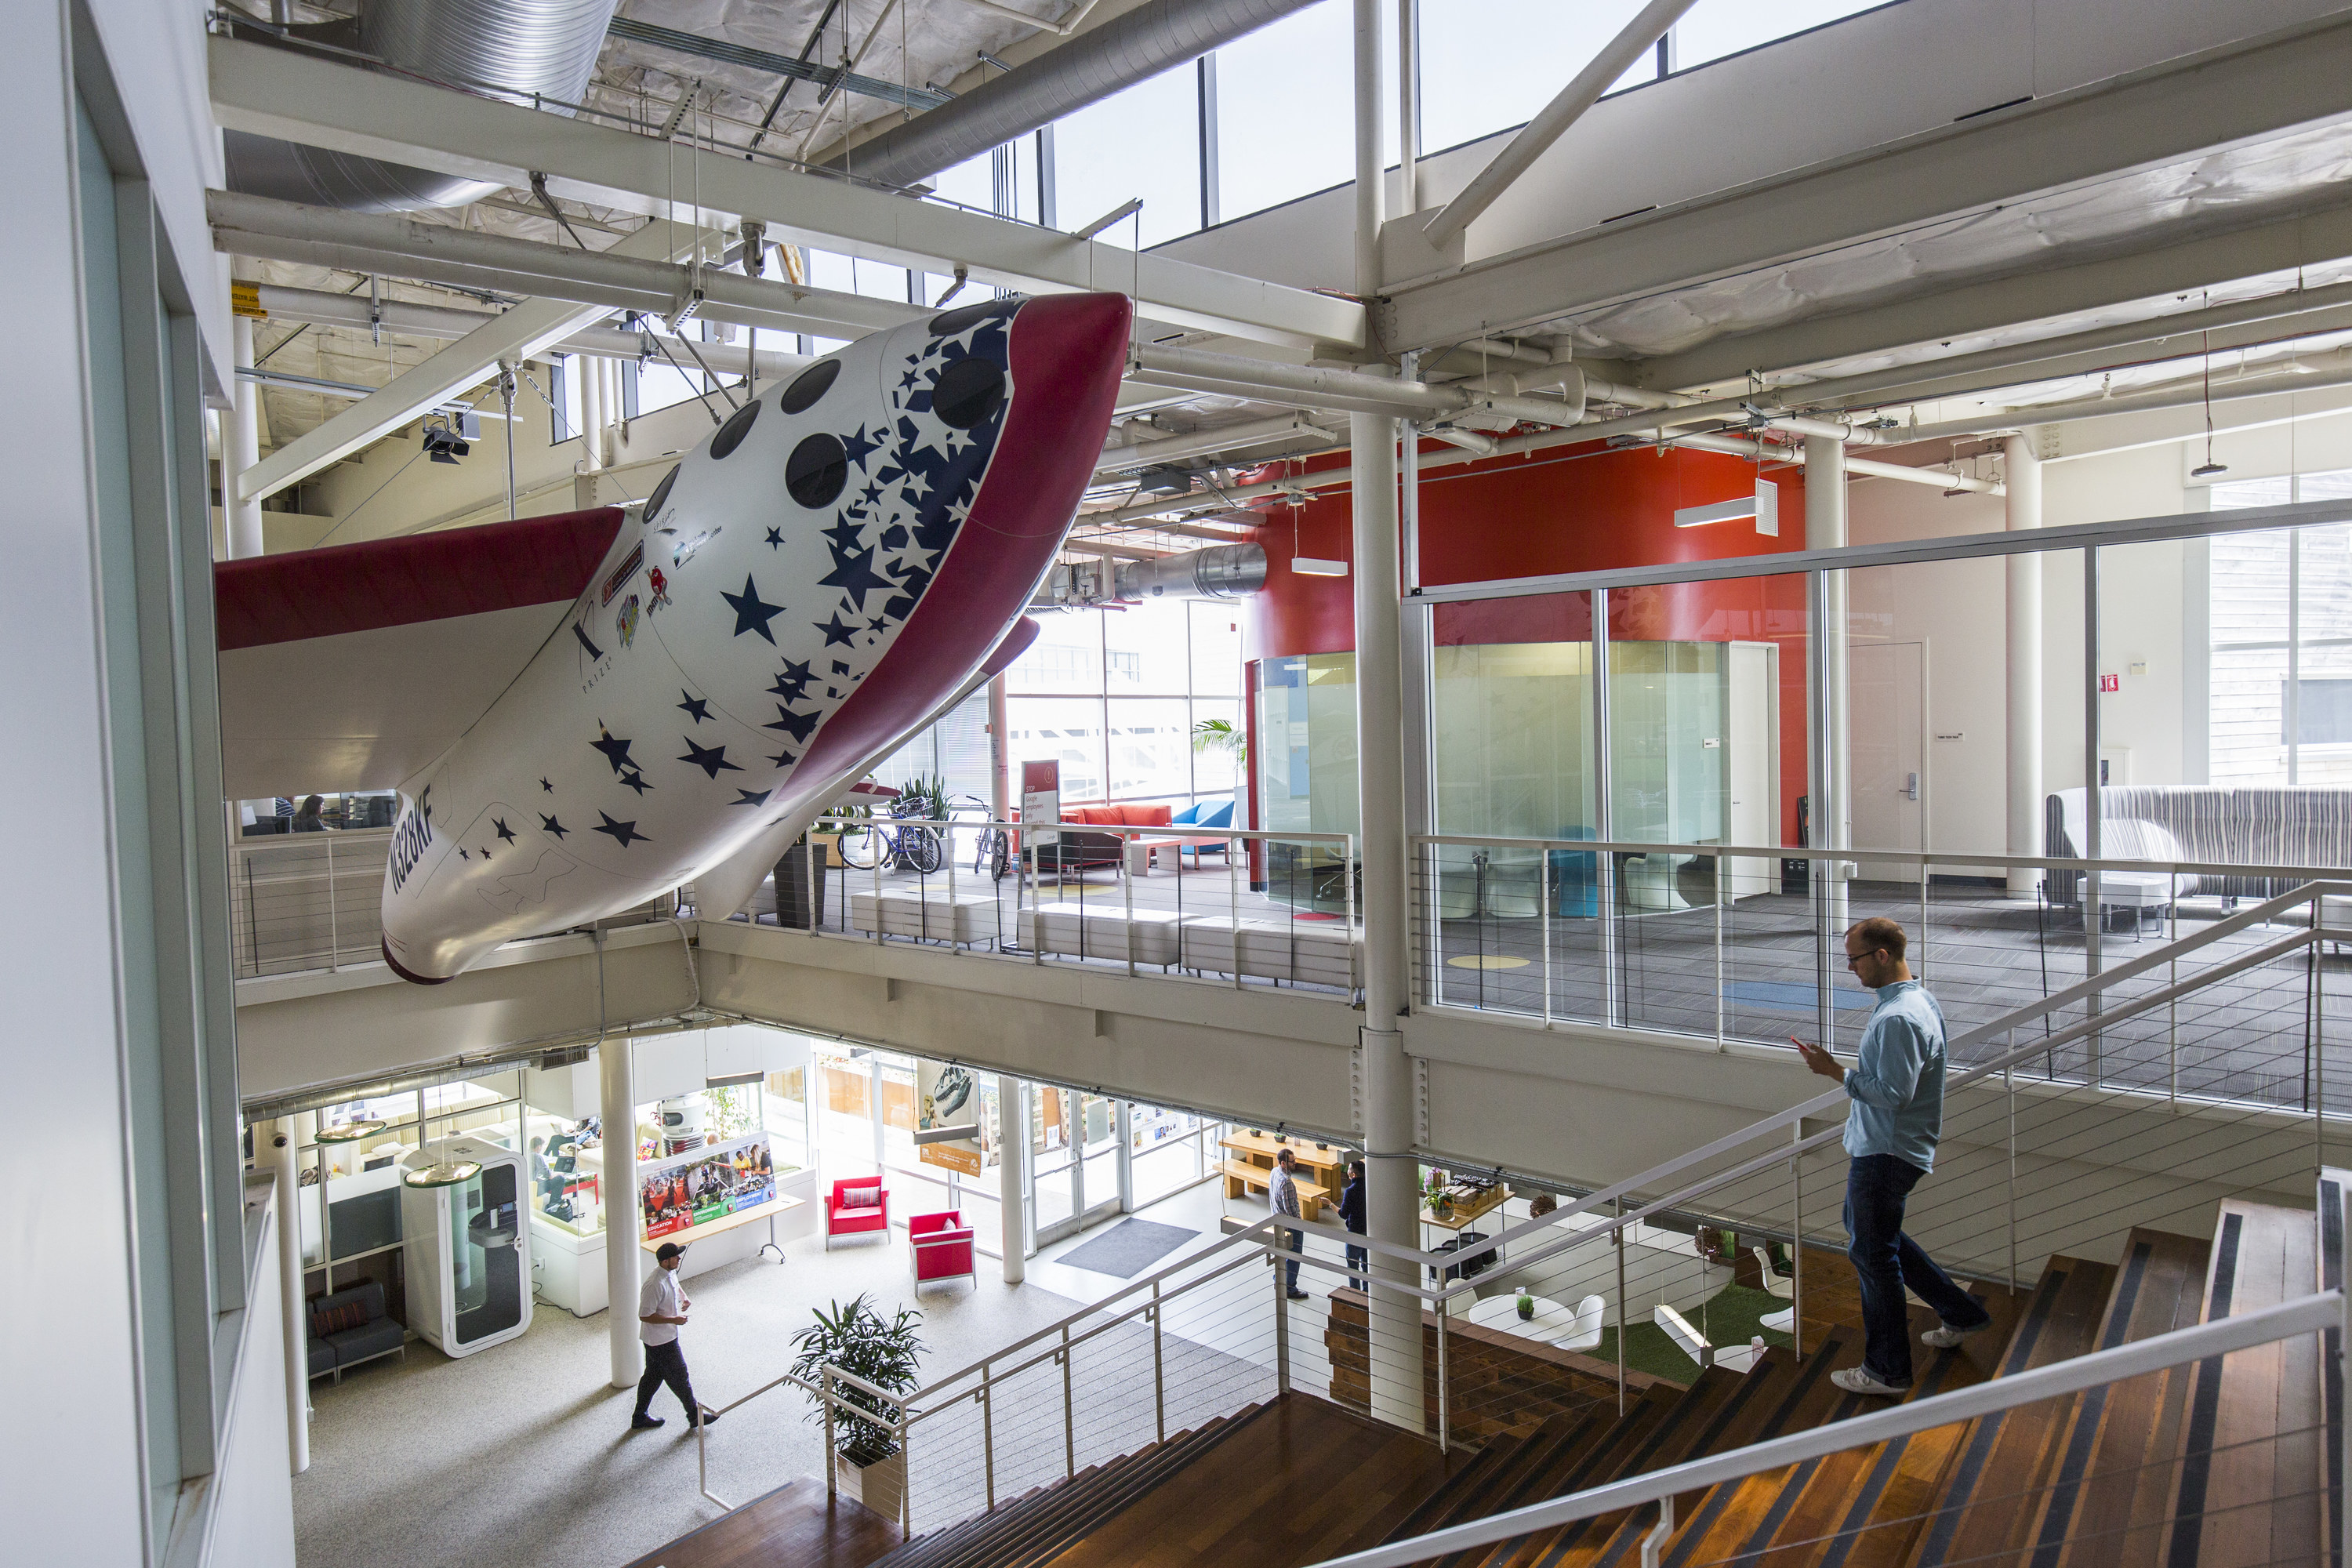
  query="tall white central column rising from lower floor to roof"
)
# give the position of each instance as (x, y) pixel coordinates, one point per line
(1391, 1200)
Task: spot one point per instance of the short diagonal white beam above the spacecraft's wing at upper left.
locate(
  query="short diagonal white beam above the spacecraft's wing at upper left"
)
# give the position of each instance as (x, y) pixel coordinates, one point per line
(530, 328)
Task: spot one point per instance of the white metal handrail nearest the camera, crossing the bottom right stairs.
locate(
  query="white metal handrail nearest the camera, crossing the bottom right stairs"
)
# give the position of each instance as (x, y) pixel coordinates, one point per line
(2179, 1348)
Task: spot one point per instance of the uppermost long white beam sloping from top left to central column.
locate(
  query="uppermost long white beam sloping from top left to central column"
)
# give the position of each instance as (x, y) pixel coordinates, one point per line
(276, 93)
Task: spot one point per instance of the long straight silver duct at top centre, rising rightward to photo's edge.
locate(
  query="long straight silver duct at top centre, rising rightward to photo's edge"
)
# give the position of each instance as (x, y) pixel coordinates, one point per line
(1088, 69)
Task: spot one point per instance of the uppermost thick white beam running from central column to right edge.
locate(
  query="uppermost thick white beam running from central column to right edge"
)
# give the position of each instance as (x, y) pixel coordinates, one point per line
(2167, 114)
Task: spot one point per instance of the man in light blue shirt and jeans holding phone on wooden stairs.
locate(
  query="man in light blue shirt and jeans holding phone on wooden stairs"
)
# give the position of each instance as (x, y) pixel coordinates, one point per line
(1892, 1132)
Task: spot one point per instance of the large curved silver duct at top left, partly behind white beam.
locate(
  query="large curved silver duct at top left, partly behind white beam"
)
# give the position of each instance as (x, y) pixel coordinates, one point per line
(523, 48)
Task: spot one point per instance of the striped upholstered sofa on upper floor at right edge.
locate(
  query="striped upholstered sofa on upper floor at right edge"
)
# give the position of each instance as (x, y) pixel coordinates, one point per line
(2207, 824)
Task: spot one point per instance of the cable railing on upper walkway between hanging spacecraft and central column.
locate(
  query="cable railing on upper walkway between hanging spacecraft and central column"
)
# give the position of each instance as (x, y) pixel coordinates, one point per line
(1255, 909)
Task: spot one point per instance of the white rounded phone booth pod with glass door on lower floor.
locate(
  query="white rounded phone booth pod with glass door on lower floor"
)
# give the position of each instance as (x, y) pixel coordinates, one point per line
(469, 1252)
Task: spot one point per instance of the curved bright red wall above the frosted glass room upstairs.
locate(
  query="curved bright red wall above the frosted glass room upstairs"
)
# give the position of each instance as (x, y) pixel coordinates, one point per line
(1579, 509)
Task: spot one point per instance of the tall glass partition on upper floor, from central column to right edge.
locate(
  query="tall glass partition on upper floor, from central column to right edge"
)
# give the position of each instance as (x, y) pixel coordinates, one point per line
(1765, 760)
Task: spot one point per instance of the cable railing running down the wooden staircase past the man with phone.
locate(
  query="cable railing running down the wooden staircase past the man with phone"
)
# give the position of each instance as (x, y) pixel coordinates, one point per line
(1699, 1257)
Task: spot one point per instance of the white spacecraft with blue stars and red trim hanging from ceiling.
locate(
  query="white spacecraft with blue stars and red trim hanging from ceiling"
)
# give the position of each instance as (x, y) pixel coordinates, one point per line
(836, 565)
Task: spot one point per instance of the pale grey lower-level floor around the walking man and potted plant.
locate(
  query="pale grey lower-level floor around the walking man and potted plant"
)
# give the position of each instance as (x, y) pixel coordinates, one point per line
(521, 1456)
